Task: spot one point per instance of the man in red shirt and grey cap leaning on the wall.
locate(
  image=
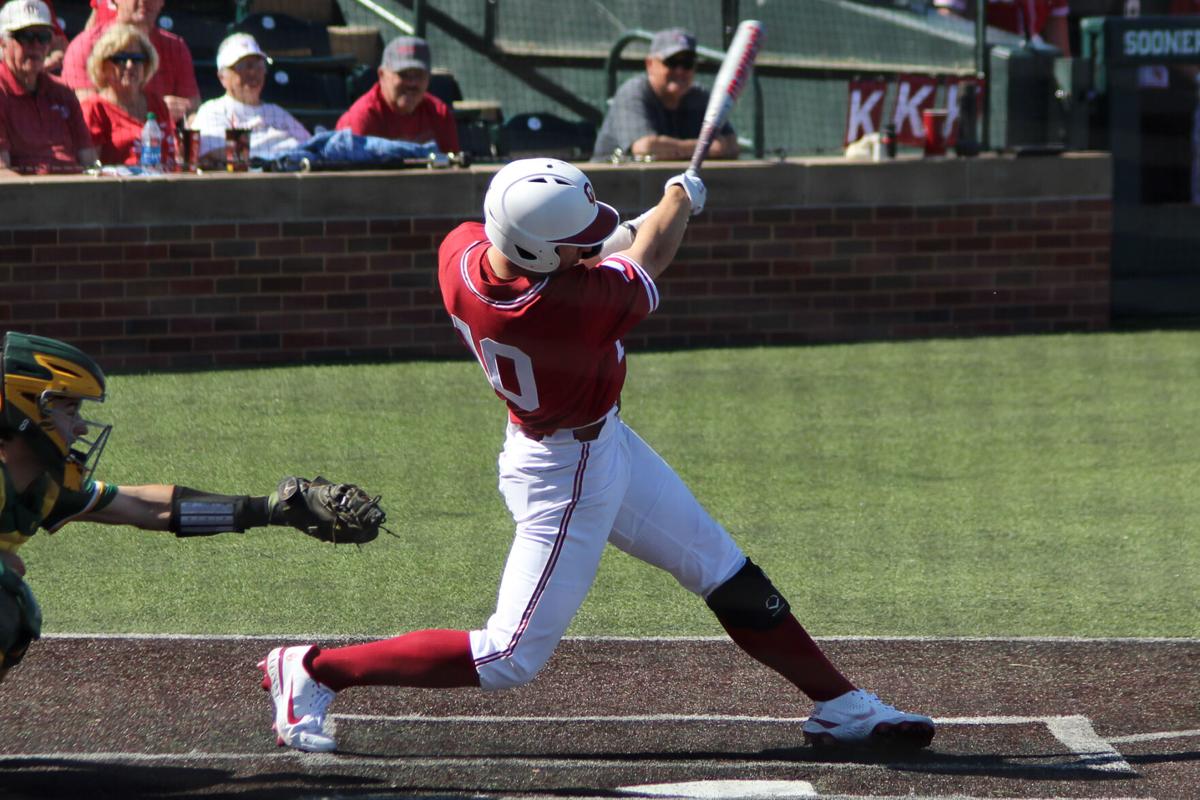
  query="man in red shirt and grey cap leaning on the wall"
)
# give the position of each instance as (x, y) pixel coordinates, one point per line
(399, 105)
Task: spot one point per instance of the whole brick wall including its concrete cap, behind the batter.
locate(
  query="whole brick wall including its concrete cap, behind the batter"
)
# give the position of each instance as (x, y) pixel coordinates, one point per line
(225, 270)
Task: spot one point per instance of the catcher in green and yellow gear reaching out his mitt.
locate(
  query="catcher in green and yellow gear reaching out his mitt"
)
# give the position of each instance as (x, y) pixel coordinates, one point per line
(49, 453)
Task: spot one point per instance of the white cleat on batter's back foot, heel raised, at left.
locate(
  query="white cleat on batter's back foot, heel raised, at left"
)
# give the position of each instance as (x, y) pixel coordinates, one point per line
(299, 700)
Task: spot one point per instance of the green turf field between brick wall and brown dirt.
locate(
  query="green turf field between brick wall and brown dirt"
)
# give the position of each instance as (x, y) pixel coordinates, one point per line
(983, 488)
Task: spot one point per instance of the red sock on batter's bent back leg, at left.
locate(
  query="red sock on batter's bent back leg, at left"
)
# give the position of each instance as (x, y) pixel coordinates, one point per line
(425, 659)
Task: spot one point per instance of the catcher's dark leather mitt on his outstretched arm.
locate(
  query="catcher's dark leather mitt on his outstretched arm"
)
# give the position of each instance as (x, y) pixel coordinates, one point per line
(332, 513)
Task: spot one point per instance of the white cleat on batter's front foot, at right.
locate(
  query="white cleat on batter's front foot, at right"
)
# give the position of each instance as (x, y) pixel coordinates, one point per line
(860, 718)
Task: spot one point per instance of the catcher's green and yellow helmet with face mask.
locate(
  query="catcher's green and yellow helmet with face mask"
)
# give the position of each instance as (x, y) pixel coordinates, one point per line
(37, 372)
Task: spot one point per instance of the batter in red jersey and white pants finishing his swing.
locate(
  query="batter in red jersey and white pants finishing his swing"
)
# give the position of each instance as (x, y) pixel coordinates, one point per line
(542, 294)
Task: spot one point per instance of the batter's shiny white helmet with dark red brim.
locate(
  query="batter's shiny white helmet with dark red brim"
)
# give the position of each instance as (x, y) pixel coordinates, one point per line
(535, 206)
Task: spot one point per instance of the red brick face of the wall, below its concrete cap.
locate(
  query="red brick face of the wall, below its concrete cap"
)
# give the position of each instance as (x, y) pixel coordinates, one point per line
(223, 294)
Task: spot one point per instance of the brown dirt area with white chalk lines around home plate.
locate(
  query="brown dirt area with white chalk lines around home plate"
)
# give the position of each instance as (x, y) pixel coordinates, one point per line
(161, 718)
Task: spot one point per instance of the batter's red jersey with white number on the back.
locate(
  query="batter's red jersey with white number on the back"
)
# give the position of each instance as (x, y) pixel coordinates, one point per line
(550, 345)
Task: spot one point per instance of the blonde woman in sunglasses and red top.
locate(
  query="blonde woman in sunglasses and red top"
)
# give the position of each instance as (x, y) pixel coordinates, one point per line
(122, 64)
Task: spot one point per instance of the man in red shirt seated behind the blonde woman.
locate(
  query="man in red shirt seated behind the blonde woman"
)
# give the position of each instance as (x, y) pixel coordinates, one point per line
(176, 80)
